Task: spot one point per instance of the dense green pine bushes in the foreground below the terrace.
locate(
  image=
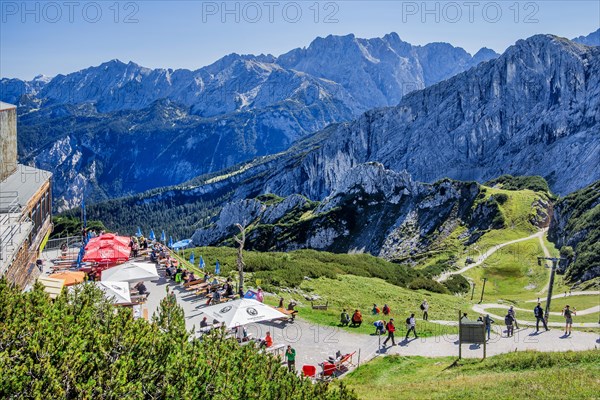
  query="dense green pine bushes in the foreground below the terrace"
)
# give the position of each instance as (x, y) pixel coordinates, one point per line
(81, 346)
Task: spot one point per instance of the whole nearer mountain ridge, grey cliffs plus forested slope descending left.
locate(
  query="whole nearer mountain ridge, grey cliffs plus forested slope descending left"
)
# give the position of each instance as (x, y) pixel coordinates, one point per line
(532, 111)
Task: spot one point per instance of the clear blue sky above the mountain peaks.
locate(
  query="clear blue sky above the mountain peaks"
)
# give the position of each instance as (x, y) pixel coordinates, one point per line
(51, 37)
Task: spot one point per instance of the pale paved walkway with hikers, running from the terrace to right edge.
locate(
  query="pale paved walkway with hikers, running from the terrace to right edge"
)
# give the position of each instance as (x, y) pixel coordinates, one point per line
(315, 343)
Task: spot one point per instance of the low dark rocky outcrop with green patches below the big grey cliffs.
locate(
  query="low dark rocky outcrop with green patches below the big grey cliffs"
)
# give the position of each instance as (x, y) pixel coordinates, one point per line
(372, 210)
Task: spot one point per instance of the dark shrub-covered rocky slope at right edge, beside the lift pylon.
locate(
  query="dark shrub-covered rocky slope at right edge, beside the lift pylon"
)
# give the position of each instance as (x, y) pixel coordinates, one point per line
(576, 224)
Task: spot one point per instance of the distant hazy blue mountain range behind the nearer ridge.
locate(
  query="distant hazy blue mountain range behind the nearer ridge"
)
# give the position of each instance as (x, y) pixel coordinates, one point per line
(119, 129)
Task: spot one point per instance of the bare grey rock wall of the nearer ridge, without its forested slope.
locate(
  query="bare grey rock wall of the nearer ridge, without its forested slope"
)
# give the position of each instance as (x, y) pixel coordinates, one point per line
(533, 111)
